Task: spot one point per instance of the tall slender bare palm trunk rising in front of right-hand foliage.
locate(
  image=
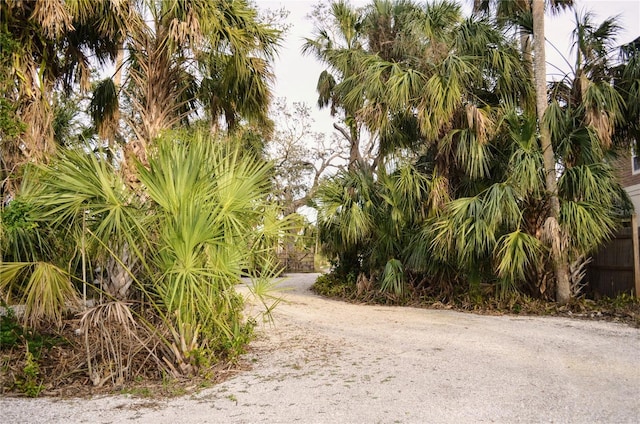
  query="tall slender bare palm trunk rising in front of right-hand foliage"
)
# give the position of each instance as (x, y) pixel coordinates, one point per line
(560, 265)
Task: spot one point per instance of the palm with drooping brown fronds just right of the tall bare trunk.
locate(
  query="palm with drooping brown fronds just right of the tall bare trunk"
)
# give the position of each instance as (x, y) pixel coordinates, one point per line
(588, 125)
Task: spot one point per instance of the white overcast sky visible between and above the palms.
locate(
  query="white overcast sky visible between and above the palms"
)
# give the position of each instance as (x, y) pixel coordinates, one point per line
(296, 75)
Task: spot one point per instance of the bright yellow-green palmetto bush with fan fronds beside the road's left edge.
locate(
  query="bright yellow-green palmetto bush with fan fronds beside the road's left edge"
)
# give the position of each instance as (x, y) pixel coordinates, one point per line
(169, 254)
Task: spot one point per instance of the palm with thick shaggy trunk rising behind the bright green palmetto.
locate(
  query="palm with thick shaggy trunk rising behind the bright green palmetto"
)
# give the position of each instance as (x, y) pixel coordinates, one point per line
(192, 54)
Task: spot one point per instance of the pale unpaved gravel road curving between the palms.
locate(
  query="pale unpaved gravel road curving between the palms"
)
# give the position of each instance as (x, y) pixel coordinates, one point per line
(332, 362)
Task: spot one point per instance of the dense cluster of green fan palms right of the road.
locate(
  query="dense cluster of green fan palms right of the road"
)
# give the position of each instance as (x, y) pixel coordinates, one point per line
(456, 195)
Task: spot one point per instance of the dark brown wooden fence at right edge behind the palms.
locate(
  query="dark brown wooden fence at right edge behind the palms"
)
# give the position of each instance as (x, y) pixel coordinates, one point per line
(615, 268)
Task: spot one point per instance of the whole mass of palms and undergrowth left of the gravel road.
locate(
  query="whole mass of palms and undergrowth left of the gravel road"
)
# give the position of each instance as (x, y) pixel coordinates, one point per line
(124, 234)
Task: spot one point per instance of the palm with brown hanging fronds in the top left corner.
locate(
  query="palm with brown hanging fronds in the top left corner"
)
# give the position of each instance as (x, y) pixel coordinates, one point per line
(52, 42)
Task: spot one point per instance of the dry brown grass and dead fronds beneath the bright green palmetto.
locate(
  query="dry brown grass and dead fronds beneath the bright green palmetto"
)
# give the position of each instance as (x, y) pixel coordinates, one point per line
(64, 371)
